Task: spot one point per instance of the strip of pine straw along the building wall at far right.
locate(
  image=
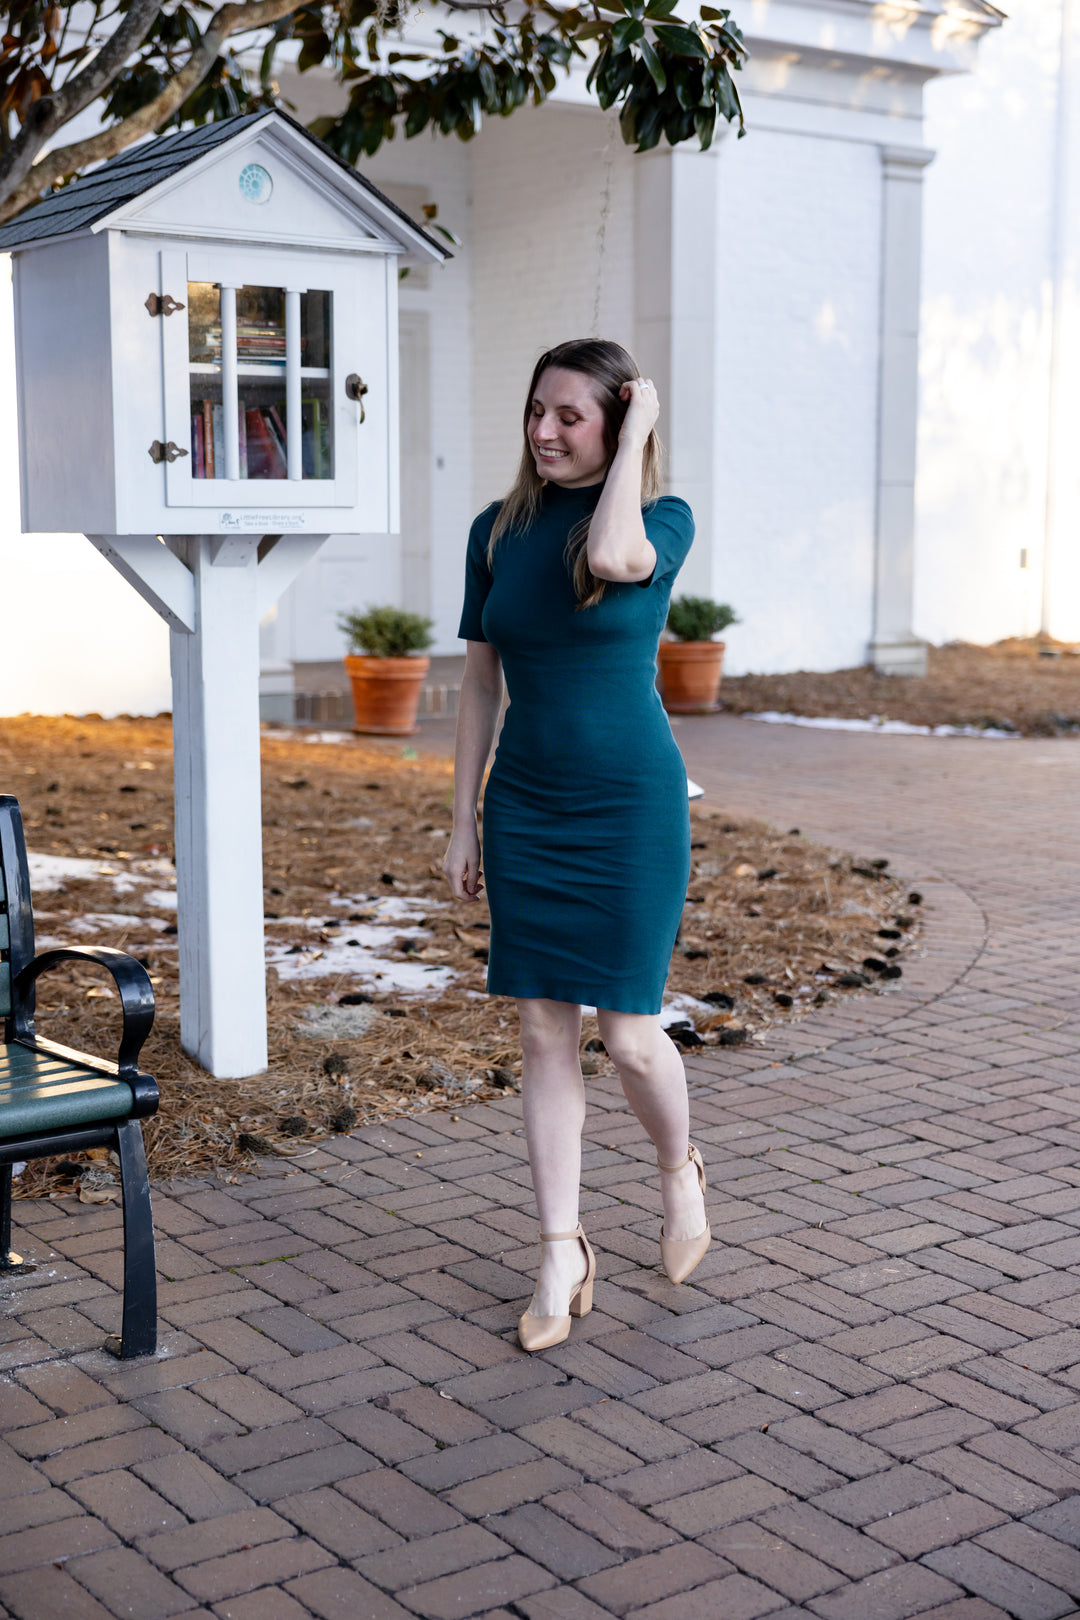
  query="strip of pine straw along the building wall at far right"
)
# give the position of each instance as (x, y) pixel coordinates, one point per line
(1032, 688)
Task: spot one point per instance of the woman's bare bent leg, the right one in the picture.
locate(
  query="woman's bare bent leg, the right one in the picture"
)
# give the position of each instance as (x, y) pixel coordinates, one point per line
(655, 1085)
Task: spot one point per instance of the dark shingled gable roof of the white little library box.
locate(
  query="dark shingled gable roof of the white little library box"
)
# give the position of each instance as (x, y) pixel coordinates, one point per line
(142, 168)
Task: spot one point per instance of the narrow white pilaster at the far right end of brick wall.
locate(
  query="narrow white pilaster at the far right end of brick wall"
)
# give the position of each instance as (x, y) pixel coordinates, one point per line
(895, 649)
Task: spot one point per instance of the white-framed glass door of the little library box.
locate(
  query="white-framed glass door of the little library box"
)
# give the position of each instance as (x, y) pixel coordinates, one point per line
(255, 382)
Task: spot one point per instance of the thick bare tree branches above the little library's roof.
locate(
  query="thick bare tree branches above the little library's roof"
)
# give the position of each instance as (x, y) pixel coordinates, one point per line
(19, 190)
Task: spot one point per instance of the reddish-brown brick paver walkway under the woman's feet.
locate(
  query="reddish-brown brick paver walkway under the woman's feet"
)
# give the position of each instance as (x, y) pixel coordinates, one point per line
(865, 1407)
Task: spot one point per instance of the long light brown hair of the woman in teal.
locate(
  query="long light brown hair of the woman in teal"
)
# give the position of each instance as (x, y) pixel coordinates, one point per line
(608, 367)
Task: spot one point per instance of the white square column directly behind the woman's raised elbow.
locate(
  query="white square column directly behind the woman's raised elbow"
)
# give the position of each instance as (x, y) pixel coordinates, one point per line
(676, 326)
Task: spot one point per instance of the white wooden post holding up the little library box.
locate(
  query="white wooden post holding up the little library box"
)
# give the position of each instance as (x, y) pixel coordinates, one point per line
(219, 814)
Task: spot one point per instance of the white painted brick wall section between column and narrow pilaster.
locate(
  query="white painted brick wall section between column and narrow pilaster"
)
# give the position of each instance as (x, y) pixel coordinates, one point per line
(797, 372)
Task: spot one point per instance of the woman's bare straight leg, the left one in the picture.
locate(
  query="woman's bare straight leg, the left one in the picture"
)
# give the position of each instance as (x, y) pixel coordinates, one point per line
(553, 1098)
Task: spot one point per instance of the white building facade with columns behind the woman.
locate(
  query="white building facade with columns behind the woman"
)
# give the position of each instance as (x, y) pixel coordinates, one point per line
(773, 291)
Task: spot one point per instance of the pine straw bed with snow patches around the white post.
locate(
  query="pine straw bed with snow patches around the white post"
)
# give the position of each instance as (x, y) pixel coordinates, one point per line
(773, 927)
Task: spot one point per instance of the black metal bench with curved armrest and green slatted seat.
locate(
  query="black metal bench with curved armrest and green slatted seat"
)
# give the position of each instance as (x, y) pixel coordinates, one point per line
(57, 1101)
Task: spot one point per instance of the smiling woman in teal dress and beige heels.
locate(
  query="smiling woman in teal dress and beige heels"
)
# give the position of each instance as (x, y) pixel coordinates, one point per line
(587, 830)
